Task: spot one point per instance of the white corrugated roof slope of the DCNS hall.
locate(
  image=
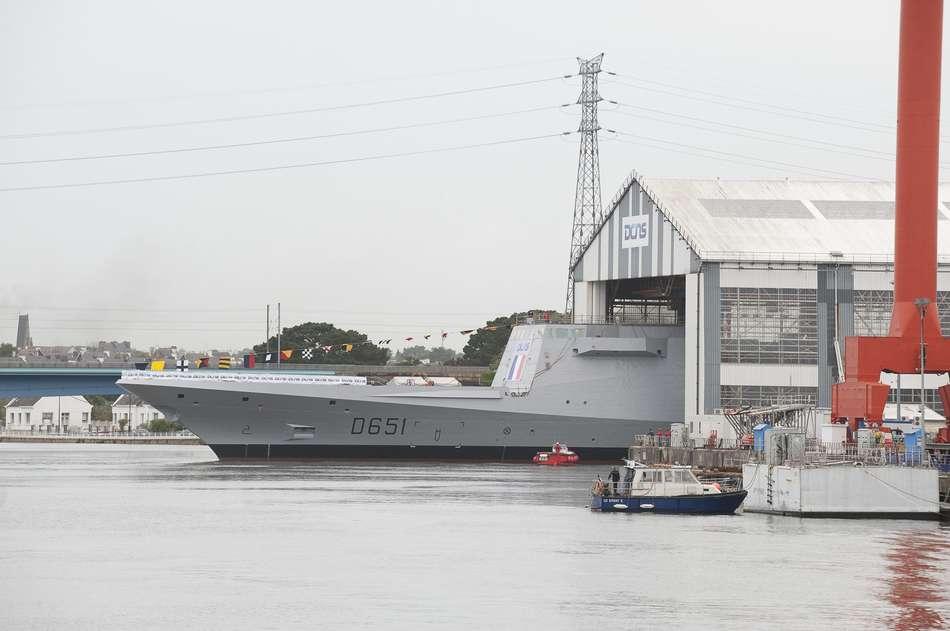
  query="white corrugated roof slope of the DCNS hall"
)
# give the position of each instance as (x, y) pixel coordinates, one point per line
(795, 220)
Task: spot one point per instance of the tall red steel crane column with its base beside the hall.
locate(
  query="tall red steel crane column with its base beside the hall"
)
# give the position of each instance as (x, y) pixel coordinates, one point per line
(915, 343)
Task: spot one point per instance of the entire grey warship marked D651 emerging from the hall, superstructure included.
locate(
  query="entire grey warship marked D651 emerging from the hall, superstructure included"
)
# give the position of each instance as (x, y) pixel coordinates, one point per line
(590, 386)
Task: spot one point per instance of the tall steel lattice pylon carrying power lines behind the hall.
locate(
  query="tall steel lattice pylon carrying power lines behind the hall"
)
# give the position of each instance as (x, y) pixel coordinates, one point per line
(588, 213)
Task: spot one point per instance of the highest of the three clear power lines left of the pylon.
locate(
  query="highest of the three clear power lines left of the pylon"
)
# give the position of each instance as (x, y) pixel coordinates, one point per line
(311, 110)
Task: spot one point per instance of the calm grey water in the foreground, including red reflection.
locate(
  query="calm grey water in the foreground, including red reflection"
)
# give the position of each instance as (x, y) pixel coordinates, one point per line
(159, 537)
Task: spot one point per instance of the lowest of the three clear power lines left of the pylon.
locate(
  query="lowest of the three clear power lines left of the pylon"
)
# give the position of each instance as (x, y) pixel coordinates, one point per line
(280, 167)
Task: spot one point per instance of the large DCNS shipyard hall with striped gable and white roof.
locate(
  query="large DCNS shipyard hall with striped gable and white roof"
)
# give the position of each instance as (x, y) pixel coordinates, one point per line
(763, 275)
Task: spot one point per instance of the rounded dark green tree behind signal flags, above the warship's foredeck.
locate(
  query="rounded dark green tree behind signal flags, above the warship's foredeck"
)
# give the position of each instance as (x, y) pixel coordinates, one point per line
(313, 335)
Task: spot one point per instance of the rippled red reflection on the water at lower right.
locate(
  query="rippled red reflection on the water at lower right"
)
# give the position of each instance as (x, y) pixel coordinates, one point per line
(917, 563)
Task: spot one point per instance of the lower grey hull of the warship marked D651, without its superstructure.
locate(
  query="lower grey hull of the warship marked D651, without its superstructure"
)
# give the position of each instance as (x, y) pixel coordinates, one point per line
(367, 422)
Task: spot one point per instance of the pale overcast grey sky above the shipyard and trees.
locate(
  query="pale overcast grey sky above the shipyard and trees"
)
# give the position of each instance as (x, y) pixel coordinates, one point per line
(368, 237)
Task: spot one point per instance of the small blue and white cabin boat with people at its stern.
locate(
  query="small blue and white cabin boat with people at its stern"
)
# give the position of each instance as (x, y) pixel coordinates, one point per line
(661, 489)
